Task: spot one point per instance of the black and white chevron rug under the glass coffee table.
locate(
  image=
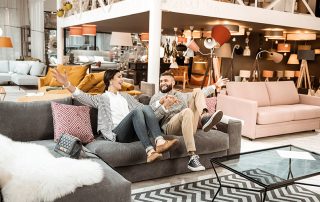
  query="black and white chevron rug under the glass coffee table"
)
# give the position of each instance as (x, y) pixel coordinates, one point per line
(204, 190)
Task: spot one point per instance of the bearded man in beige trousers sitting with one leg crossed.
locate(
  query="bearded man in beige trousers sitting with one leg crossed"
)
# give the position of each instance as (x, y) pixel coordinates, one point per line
(179, 113)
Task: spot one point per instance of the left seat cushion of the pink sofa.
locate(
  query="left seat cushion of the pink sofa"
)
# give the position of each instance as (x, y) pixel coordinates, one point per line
(274, 114)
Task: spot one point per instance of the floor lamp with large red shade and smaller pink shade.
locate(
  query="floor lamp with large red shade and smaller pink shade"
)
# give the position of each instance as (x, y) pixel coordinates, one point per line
(219, 35)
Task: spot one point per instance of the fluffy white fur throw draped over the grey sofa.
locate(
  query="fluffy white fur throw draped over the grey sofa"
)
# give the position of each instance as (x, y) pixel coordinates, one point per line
(29, 173)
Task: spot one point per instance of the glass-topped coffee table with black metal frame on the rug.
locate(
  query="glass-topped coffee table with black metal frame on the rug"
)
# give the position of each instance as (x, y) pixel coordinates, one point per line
(271, 168)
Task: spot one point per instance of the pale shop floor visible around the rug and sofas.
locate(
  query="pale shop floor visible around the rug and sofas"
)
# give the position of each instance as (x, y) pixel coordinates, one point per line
(309, 140)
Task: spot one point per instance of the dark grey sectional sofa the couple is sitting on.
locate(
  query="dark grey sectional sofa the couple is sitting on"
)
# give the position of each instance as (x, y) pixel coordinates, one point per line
(128, 160)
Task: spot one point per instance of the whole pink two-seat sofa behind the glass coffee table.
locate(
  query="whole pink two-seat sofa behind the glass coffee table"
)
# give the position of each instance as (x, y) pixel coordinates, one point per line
(270, 108)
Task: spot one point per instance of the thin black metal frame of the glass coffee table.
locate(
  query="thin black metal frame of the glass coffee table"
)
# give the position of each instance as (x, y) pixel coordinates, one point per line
(265, 188)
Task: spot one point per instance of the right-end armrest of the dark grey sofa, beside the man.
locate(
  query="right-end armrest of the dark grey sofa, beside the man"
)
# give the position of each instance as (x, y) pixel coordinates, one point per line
(233, 128)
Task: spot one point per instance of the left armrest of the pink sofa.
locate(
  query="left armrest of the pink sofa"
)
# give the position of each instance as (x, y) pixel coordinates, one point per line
(242, 109)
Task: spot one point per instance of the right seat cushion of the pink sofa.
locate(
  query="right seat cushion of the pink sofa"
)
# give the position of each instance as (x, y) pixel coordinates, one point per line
(303, 111)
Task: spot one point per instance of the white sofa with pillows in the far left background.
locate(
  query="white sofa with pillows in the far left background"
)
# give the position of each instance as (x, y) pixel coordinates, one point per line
(21, 72)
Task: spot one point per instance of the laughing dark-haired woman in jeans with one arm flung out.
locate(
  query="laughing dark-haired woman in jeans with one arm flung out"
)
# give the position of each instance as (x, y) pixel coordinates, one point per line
(122, 118)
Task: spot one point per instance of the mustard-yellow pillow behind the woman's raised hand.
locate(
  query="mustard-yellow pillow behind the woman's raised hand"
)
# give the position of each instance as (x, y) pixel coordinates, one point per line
(74, 73)
